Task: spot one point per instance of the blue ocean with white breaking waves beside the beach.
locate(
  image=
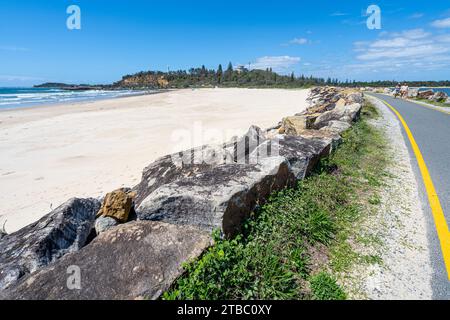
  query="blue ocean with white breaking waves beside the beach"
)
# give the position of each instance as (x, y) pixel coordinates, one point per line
(26, 97)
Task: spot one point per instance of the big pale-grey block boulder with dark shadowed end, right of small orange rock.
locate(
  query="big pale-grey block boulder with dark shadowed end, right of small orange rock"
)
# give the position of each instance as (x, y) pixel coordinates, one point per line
(222, 197)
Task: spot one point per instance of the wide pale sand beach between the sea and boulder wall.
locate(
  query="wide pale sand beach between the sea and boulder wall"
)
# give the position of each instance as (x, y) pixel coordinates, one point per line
(52, 153)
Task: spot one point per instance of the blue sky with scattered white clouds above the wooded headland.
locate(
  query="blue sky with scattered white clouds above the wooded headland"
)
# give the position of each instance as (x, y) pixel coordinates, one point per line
(323, 38)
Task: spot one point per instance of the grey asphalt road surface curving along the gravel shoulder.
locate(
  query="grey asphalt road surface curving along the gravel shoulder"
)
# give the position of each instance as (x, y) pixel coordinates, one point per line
(431, 130)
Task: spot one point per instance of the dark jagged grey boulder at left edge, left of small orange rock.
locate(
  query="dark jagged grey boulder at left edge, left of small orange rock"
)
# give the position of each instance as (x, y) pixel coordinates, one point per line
(64, 230)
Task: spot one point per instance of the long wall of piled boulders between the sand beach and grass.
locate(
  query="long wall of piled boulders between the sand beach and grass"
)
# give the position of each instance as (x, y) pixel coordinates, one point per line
(131, 244)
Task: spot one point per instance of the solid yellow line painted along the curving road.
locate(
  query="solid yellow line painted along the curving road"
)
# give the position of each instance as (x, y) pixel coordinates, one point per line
(436, 209)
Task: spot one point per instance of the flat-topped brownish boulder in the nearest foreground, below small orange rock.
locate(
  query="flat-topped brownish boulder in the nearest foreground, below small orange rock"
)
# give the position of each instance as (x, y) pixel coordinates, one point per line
(136, 260)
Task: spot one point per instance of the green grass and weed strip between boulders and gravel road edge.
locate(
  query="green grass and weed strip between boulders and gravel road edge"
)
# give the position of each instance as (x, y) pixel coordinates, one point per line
(292, 247)
